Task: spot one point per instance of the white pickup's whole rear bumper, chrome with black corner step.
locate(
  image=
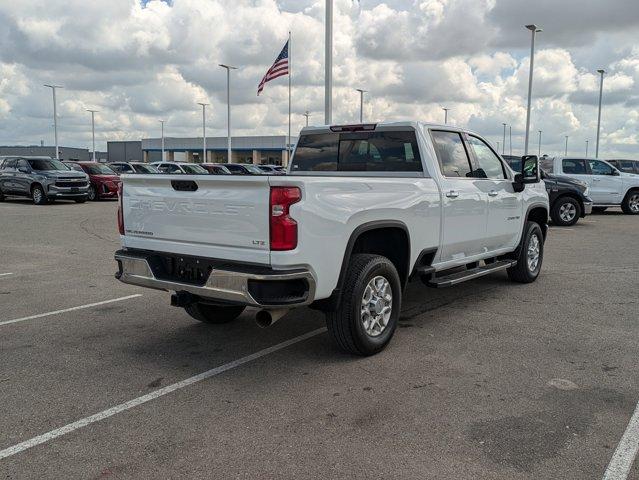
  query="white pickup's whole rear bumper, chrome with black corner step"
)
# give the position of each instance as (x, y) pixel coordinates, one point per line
(266, 289)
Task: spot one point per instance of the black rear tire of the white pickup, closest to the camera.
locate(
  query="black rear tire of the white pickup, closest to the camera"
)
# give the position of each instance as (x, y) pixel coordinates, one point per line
(345, 324)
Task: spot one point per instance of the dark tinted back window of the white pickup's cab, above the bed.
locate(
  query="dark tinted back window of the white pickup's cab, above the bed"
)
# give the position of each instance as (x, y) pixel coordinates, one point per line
(386, 151)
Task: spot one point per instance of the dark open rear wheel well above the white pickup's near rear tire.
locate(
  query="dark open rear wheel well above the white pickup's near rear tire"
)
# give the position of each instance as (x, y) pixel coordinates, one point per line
(390, 242)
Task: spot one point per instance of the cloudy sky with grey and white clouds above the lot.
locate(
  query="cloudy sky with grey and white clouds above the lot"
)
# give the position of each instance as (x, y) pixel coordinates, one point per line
(141, 61)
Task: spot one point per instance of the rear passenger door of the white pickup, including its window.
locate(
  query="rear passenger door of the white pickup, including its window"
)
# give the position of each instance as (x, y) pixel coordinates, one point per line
(465, 205)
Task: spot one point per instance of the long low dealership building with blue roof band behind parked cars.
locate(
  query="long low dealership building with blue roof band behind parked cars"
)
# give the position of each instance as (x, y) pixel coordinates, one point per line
(267, 149)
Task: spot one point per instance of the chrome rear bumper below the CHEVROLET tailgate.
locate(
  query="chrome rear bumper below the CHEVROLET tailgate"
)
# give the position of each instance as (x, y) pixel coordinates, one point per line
(225, 286)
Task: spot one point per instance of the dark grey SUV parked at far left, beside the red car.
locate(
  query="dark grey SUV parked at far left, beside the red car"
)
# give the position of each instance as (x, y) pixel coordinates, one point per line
(43, 179)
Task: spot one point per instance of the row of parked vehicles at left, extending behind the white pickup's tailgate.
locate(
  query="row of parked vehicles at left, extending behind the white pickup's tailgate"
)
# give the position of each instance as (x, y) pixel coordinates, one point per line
(45, 179)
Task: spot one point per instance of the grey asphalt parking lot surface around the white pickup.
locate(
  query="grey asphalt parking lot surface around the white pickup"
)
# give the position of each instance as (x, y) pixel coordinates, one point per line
(489, 379)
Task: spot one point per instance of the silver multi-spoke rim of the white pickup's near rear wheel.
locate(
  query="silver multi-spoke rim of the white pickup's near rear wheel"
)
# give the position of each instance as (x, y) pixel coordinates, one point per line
(377, 306)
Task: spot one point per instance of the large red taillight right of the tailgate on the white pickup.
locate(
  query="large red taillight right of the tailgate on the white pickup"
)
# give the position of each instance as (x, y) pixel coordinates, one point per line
(283, 227)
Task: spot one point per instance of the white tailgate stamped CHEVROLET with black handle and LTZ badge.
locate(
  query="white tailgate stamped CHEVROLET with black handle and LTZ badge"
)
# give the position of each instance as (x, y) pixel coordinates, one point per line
(210, 216)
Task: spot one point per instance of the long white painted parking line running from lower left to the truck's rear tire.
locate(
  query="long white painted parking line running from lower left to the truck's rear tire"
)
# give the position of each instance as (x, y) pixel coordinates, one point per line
(58, 432)
